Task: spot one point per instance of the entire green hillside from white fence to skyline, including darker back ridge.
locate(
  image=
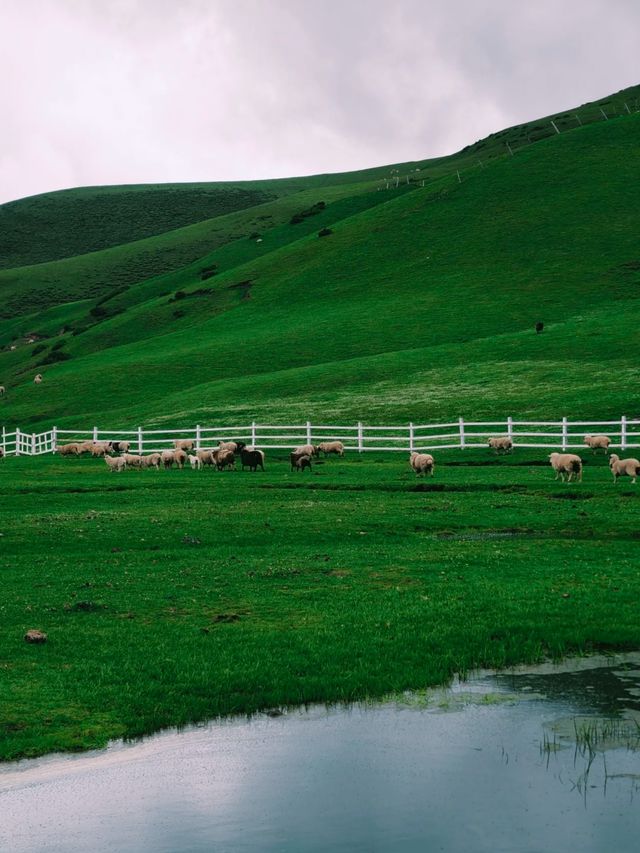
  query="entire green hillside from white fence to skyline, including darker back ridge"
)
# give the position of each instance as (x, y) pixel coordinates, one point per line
(217, 302)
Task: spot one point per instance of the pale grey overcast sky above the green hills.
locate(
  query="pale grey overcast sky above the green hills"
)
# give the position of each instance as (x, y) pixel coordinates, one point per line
(138, 91)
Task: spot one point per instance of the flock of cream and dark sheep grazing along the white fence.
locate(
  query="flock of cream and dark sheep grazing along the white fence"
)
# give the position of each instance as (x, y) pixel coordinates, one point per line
(568, 466)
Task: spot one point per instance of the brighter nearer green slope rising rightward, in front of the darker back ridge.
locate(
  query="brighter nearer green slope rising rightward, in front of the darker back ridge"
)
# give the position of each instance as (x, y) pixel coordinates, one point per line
(436, 288)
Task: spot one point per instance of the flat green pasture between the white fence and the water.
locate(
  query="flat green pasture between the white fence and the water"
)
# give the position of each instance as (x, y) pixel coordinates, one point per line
(176, 596)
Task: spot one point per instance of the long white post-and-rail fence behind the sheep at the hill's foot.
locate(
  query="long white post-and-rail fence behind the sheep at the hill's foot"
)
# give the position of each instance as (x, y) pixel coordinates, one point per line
(563, 434)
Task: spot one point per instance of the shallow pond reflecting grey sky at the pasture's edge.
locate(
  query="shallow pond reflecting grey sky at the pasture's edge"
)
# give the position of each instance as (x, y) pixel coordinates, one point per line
(538, 759)
